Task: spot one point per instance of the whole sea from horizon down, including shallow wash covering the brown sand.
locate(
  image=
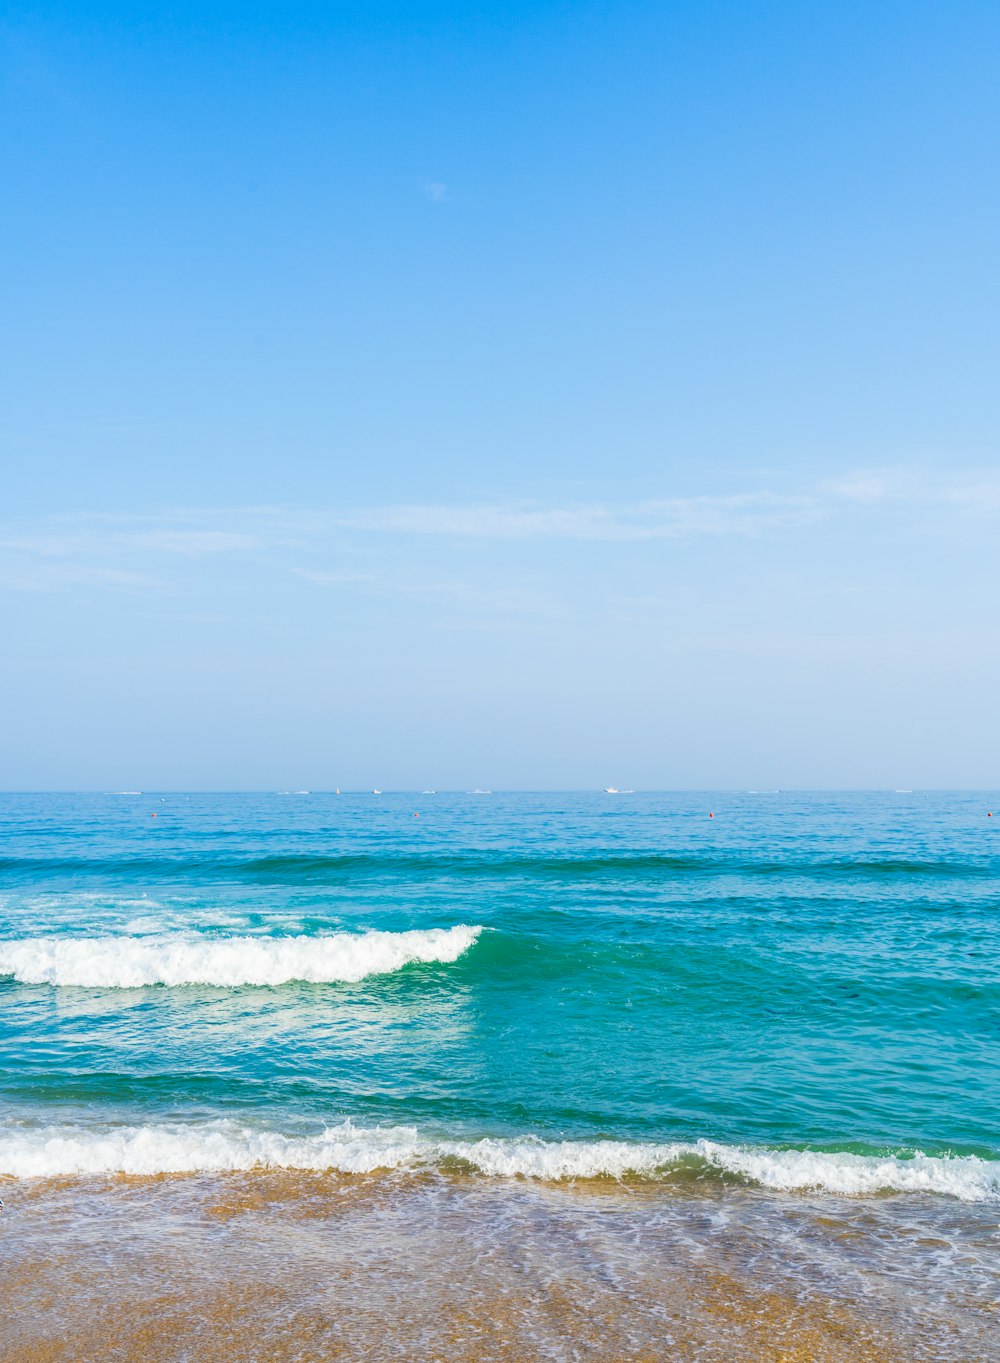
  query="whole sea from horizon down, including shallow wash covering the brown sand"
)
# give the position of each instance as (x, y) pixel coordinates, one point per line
(721, 1064)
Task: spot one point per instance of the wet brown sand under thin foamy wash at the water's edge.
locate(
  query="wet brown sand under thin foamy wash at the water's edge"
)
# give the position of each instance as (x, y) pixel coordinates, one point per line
(291, 1267)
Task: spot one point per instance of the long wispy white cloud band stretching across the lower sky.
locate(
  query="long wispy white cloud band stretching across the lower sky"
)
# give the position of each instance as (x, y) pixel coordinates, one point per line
(364, 547)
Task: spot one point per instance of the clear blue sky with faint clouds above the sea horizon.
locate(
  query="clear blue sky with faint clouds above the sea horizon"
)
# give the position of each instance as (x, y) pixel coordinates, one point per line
(505, 396)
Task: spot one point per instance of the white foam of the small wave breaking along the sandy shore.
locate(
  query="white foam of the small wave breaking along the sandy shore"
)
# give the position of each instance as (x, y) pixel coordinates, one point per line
(219, 1147)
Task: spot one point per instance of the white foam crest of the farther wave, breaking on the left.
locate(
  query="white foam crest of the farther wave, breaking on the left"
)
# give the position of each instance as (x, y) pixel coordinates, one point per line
(126, 963)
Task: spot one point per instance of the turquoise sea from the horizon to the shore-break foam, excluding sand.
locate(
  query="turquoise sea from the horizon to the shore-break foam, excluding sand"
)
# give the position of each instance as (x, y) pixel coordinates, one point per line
(799, 992)
